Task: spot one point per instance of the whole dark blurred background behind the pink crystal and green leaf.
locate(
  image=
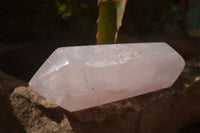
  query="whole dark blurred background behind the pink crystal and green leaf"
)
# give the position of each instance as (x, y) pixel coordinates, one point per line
(31, 30)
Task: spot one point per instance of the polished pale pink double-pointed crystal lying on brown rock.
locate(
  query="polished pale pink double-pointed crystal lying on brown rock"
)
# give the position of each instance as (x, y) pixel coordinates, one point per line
(81, 77)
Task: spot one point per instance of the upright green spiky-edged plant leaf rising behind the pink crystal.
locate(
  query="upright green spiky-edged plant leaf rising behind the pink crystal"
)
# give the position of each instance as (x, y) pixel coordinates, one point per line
(110, 18)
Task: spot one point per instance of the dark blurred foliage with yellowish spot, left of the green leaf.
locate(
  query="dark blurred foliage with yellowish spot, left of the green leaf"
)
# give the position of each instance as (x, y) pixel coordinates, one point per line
(46, 18)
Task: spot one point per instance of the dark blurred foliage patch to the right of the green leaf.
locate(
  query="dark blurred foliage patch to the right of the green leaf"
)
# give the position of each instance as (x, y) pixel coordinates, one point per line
(153, 16)
